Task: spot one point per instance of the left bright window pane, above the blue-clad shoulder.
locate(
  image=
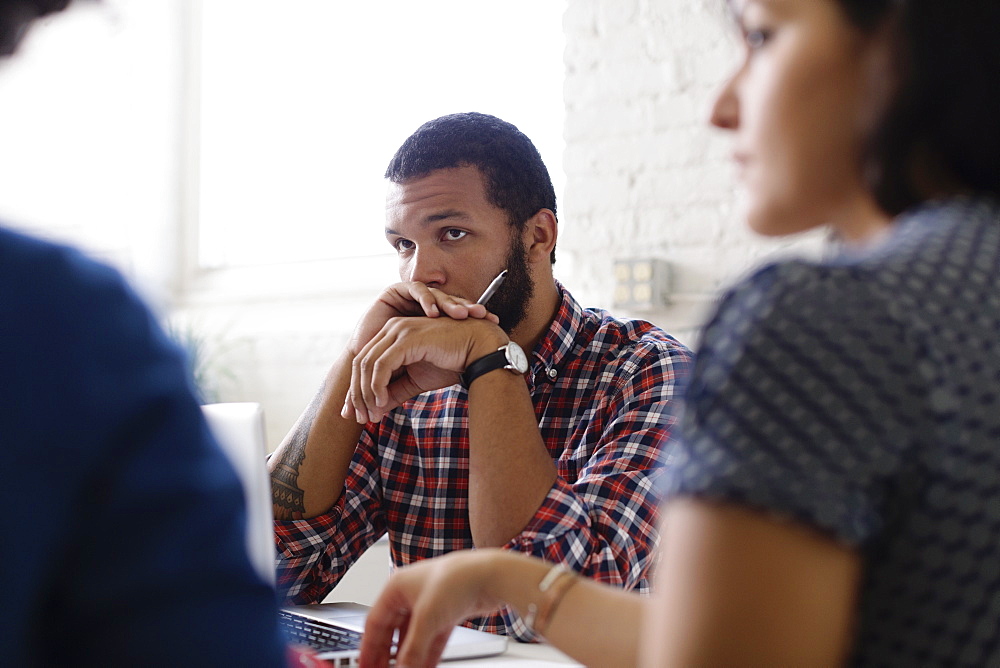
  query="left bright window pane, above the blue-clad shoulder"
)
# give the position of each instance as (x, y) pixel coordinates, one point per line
(89, 124)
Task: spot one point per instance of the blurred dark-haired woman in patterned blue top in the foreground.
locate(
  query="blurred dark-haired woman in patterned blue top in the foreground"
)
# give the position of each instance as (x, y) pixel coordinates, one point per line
(835, 496)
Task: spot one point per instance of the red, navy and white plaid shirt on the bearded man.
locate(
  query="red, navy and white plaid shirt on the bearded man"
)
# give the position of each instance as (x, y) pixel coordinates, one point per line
(605, 393)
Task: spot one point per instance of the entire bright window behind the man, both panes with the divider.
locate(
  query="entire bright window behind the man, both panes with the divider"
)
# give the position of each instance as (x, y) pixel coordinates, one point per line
(221, 148)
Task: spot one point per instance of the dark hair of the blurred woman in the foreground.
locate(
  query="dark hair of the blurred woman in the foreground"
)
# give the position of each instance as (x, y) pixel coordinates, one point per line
(944, 116)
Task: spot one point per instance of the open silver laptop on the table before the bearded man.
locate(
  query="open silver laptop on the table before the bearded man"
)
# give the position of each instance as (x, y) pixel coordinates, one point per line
(332, 629)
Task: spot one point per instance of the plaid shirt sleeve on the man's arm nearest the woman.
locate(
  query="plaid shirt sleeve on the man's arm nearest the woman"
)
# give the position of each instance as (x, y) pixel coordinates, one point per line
(604, 524)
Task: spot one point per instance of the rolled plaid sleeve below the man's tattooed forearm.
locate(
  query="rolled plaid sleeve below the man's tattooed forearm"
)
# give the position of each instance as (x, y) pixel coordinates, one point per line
(315, 553)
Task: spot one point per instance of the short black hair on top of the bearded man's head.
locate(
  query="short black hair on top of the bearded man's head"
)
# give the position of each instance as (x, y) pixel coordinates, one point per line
(515, 177)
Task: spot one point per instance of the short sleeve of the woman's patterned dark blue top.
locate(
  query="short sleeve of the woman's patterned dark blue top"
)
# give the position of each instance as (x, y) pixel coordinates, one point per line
(804, 402)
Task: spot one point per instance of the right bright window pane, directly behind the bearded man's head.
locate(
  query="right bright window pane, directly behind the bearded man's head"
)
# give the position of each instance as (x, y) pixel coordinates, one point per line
(302, 104)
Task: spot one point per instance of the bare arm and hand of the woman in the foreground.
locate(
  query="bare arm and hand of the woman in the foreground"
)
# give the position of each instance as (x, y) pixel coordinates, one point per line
(734, 587)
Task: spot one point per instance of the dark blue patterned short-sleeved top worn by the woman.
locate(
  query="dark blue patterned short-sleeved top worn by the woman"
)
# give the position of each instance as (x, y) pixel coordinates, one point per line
(861, 396)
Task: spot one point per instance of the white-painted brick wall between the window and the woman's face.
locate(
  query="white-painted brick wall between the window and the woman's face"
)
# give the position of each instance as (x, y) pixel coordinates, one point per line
(645, 175)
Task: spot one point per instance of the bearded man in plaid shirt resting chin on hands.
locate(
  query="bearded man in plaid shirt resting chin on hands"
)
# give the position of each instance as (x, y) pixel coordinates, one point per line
(436, 427)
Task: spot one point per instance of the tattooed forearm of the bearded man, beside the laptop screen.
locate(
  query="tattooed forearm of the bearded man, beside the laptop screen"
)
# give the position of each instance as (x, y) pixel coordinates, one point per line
(309, 468)
